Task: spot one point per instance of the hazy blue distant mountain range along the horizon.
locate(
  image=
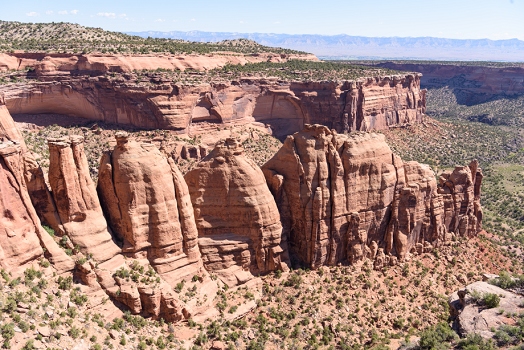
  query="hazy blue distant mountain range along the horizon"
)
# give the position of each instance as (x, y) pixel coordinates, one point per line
(359, 47)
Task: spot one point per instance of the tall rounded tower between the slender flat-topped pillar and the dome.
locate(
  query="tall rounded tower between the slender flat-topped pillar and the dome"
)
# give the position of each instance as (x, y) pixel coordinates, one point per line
(148, 206)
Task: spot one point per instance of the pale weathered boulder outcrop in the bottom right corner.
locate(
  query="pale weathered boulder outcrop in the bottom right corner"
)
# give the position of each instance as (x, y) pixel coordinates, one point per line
(470, 317)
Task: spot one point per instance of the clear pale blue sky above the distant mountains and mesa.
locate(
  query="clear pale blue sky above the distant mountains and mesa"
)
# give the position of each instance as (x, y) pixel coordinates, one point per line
(462, 19)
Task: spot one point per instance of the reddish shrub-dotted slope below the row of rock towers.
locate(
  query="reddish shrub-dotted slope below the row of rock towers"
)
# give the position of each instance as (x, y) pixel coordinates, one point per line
(342, 307)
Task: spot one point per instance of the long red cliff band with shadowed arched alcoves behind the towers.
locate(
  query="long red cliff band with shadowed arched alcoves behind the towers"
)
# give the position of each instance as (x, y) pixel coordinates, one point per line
(365, 104)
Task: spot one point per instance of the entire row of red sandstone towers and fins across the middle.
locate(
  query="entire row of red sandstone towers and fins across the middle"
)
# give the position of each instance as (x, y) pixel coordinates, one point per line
(323, 199)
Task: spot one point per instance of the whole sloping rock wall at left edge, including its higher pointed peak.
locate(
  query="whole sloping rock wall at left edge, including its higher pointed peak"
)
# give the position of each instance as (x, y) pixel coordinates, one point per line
(19, 222)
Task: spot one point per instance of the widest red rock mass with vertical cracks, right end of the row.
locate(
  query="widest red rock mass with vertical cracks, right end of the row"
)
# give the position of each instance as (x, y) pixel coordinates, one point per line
(350, 198)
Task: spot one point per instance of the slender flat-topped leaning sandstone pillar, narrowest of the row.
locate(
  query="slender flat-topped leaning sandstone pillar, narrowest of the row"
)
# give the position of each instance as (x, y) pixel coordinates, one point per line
(76, 200)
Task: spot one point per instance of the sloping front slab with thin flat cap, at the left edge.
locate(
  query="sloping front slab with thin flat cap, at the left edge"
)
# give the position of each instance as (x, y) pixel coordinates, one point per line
(23, 240)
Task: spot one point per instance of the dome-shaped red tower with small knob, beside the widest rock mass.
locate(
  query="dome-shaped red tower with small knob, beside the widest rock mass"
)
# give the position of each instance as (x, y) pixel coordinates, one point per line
(239, 229)
